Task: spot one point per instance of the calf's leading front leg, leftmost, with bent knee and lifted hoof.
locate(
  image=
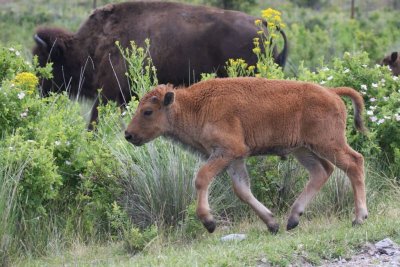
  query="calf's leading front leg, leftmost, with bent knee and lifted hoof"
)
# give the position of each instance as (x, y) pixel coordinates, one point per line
(214, 165)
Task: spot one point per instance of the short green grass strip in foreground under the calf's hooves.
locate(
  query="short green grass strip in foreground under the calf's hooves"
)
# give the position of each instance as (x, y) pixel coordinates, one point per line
(324, 238)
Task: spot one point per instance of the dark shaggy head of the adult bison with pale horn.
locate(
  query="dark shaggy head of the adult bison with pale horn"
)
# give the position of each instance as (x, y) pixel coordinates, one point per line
(53, 45)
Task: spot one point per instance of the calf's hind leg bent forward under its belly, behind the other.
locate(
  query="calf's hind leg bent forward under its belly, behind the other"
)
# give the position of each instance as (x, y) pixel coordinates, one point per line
(319, 169)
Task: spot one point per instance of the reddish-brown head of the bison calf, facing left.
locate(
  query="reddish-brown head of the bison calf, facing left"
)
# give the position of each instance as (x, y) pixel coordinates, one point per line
(151, 117)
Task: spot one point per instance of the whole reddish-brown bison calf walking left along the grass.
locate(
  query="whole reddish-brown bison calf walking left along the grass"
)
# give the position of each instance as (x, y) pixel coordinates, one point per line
(229, 119)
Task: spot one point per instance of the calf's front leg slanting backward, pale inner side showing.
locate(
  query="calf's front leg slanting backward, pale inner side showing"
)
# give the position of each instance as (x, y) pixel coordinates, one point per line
(241, 185)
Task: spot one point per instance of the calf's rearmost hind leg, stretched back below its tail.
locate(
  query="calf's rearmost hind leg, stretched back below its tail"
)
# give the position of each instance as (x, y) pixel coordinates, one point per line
(352, 163)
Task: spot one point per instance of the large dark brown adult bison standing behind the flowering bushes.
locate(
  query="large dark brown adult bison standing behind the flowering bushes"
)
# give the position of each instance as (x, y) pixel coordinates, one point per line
(185, 41)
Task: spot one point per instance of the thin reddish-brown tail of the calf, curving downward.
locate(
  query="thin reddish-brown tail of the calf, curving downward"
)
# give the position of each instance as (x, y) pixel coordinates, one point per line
(358, 105)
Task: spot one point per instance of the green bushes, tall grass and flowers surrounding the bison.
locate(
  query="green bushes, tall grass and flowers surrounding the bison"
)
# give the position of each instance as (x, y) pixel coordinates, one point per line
(69, 196)
